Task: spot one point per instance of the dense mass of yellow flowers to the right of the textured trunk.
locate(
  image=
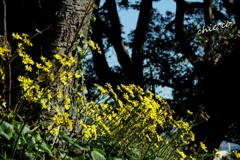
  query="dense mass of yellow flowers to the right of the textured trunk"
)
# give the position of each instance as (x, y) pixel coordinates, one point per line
(134, 114)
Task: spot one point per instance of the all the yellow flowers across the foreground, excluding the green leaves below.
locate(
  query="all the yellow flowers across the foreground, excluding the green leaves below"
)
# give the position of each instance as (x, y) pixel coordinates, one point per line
(125, 115)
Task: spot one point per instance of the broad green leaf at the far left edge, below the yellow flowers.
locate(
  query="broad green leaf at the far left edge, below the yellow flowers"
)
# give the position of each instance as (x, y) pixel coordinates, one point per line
(6, 130)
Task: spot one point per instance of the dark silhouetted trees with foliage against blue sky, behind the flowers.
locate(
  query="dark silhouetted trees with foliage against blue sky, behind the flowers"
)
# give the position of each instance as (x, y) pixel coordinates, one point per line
(167, 51)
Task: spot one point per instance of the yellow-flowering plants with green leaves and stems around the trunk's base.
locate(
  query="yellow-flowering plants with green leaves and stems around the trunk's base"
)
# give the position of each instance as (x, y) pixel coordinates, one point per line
(127, 123)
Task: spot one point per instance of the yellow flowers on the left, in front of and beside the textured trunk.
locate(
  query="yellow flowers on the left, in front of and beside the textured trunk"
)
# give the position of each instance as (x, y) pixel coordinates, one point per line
(32, 91)
